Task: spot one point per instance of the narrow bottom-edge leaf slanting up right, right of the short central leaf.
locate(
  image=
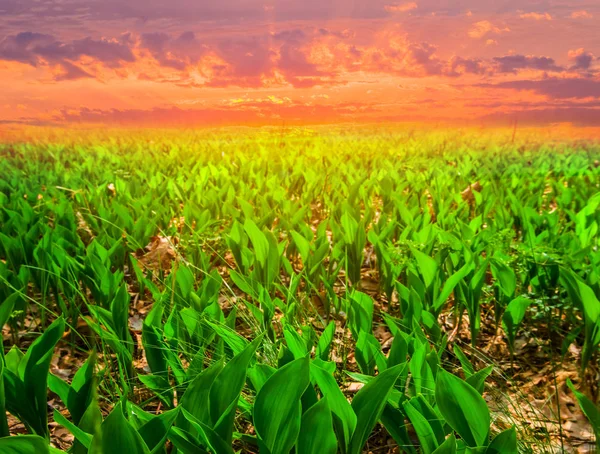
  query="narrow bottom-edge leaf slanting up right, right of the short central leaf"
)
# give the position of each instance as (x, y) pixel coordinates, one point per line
(368, 405)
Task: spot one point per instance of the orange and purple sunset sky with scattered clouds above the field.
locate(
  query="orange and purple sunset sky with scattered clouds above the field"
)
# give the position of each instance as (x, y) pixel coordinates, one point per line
(253, 62)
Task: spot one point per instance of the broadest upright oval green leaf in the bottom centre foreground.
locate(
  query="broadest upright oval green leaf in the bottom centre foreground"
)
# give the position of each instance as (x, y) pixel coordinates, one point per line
(277, 409)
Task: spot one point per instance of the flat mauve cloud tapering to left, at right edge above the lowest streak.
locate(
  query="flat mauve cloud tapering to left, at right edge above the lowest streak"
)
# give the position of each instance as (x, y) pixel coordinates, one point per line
(555, 88)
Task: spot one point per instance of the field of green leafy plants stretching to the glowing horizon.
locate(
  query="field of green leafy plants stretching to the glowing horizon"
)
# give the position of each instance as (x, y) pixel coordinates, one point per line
(308, 291)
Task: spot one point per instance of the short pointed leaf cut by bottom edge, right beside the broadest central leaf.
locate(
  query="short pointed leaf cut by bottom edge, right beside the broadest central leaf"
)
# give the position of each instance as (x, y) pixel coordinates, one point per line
(316, 431)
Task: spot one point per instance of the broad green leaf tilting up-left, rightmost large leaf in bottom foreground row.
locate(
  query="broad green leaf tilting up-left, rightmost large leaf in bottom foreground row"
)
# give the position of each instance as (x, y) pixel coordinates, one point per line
(463, 408)
